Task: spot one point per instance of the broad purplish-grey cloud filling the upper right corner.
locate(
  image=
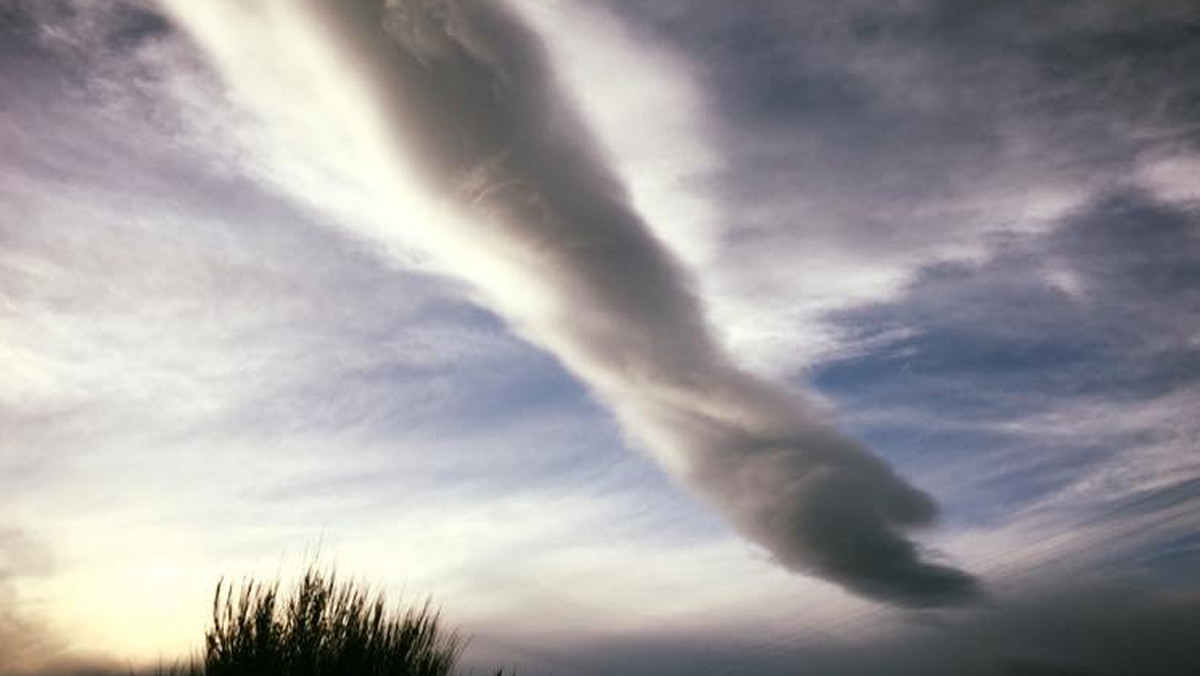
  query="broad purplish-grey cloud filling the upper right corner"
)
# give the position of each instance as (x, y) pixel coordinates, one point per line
(902, 133)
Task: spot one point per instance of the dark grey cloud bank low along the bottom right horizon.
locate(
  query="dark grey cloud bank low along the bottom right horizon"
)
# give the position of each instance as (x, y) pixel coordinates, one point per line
(1124, 629)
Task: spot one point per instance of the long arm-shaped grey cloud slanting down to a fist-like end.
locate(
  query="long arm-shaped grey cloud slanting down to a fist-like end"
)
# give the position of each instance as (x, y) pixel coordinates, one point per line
(471, 106)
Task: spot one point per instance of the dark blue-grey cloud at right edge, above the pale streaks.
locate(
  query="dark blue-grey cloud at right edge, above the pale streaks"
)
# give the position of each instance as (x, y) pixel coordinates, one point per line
(1114, 283)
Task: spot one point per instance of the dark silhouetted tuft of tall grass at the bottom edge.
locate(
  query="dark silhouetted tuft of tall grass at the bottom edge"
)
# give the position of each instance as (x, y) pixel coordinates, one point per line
(325, 629)
